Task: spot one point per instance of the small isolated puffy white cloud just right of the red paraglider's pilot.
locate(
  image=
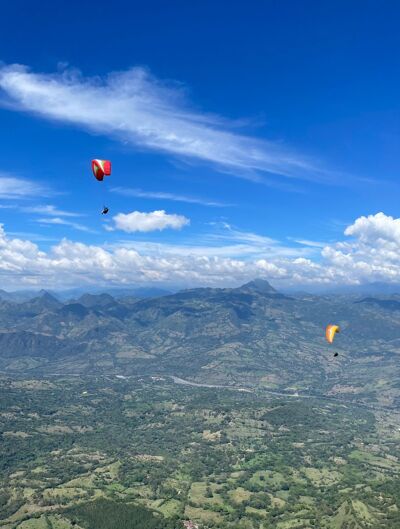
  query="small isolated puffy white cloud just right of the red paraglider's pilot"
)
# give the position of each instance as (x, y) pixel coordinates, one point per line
(152, 221)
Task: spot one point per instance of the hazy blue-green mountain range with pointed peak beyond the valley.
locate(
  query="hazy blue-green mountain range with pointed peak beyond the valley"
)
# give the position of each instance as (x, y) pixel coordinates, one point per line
(252, 336)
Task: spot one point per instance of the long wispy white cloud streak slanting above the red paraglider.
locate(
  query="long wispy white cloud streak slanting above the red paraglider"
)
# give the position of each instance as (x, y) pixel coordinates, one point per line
(143, 111)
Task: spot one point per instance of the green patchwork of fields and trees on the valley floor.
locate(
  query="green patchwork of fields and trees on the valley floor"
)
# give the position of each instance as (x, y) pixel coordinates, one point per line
(102, 452)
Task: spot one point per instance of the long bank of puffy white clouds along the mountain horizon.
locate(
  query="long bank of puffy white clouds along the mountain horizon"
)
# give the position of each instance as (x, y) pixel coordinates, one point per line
(371, 253)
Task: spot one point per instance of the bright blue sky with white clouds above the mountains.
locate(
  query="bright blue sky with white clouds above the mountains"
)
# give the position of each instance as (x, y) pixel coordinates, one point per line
(246, 139)
